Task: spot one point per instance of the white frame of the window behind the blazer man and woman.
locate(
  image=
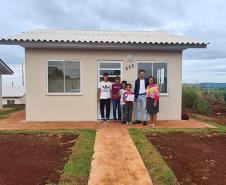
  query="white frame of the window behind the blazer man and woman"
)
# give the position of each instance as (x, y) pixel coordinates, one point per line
(152, 62)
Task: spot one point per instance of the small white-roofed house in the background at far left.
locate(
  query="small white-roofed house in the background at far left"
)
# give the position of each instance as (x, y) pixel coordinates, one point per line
(13, 95)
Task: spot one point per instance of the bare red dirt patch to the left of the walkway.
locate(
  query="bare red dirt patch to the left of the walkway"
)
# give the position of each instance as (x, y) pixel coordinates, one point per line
(33, 159)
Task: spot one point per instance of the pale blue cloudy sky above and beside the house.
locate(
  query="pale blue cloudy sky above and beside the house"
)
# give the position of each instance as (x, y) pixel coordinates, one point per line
(203, 20)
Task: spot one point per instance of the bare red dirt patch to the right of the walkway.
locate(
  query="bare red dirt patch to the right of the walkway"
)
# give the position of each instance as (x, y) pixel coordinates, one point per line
(195, 159)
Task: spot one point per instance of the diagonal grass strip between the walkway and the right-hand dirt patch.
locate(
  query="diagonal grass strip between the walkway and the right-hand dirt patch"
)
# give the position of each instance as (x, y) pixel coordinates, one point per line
(159, 171)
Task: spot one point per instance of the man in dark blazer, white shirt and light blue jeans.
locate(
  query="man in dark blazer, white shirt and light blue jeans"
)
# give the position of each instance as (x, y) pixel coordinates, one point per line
(140, 95)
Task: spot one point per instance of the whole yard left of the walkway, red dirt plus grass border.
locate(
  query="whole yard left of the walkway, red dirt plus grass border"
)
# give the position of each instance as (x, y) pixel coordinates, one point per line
(46, 157)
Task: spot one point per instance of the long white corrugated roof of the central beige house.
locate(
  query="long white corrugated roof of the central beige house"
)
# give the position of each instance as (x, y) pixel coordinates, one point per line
(107, 37)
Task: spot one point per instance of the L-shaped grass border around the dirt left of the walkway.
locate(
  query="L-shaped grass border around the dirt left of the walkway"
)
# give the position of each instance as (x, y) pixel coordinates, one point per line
(76, 171)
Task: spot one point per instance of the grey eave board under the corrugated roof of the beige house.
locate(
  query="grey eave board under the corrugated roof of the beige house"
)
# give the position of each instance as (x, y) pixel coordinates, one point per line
(104, 45)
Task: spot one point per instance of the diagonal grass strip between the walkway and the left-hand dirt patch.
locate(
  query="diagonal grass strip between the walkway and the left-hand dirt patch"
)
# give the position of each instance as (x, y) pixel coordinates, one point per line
(77, 170)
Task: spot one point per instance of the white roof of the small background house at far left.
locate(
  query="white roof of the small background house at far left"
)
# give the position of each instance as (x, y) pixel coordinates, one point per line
(13, 91)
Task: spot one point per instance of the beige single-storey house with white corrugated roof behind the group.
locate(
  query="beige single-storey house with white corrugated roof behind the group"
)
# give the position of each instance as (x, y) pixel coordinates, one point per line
(63, 68)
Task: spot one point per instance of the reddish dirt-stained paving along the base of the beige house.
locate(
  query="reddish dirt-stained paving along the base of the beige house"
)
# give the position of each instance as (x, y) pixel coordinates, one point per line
(16, 121)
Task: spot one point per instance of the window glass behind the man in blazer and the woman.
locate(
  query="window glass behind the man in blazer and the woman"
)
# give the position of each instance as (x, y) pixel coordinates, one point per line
(156, 69)
